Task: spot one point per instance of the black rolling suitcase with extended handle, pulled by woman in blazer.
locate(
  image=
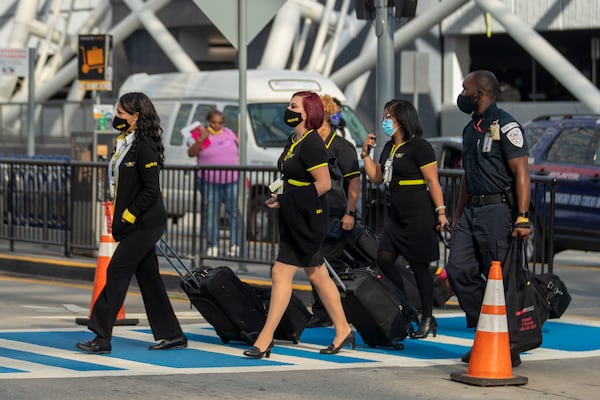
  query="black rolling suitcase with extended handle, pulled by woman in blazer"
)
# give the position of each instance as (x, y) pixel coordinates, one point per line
(228, 304)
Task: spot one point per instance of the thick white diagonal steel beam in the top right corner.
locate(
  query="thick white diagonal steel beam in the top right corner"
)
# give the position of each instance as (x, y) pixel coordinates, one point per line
(569, 76)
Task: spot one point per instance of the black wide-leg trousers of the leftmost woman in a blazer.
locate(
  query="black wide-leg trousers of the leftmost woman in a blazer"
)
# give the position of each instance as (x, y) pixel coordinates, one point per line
(135, 254)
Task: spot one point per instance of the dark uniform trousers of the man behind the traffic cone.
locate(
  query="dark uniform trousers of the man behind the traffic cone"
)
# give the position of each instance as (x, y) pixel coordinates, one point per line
(483, 235)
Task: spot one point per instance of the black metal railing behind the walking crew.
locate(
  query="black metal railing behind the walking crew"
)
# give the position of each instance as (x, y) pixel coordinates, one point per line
(57, 203)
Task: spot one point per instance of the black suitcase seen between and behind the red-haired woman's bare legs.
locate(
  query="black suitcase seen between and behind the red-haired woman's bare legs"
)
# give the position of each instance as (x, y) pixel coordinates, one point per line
(294, 319)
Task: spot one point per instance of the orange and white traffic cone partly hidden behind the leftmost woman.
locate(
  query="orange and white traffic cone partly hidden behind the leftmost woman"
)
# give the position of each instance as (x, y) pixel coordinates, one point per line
(105, 252)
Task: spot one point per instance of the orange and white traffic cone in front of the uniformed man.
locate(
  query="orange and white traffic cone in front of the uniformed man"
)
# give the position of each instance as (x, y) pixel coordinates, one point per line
(490, 363)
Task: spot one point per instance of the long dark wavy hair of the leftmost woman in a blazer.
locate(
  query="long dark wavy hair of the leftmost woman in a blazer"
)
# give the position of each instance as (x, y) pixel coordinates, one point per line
(148, 122)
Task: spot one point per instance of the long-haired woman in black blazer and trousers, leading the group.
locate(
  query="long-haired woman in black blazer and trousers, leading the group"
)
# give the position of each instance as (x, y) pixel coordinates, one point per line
(139, 221)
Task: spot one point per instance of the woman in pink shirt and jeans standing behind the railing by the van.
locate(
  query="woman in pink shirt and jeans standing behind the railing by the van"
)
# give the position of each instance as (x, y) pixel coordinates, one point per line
(217, 145)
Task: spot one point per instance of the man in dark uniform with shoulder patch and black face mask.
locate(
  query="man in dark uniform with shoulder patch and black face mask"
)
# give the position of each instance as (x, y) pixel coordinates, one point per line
(494, 198)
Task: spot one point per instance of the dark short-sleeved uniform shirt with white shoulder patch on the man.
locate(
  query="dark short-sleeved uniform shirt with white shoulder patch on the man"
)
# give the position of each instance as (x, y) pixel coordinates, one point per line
(487, 172)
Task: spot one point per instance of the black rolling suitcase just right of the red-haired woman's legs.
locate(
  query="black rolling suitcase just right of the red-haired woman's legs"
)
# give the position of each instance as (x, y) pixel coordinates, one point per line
(378, 311)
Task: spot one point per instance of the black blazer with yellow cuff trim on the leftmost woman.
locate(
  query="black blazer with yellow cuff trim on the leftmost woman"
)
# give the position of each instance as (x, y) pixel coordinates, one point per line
(138, 196)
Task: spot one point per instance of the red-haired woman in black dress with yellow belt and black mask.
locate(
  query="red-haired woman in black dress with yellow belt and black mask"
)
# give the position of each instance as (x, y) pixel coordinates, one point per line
(303, 223)
